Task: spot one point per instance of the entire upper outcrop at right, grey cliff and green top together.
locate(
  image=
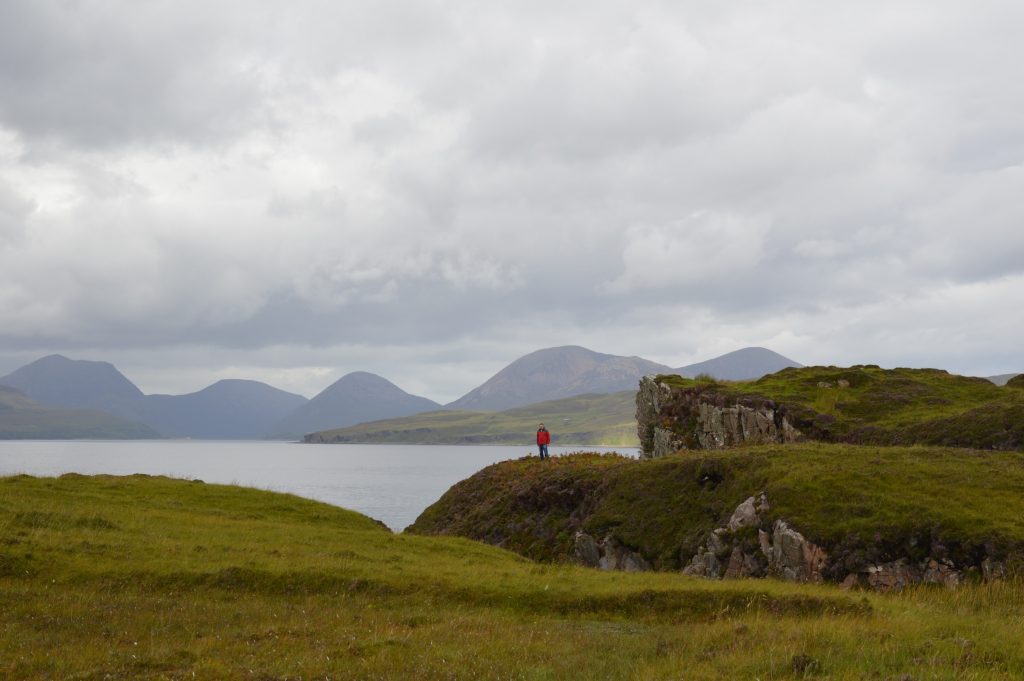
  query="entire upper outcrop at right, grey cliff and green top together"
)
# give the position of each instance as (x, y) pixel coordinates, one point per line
(863, 405)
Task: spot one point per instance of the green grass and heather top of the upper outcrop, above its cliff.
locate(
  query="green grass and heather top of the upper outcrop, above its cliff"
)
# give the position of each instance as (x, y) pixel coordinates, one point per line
(872, 406)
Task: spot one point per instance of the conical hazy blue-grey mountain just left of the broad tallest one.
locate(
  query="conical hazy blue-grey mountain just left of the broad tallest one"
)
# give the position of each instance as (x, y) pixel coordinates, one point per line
(354, 399)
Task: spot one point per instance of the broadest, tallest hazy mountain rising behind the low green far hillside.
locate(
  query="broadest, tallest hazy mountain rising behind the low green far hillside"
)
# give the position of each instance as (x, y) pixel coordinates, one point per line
(554, 373)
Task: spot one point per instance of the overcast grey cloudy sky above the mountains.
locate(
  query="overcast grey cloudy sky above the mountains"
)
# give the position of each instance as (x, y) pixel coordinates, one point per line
(289, 192)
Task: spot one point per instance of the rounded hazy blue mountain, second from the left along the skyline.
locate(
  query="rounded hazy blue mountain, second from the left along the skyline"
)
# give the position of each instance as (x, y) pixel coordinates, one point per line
(229, 409)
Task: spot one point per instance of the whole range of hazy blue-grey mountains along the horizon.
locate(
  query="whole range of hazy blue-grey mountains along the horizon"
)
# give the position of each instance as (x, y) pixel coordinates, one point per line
(247, 410)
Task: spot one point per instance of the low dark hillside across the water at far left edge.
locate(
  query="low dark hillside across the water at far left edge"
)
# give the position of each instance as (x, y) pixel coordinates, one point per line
(21, 418)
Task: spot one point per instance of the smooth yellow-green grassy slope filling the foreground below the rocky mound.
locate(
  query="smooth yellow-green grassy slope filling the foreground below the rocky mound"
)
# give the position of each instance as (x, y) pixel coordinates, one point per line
(140, 578)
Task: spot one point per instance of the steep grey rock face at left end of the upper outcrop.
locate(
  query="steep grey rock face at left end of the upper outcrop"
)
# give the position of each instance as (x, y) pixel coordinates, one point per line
(670, 419)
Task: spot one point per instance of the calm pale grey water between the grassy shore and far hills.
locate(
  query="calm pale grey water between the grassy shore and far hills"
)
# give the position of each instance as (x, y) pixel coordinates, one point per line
(391, 483)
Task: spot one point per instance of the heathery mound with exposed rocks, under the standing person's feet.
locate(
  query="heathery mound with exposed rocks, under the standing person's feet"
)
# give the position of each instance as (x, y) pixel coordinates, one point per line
(872, 517)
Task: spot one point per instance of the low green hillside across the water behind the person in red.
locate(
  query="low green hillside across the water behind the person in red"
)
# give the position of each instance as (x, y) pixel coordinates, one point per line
(595, 419)
